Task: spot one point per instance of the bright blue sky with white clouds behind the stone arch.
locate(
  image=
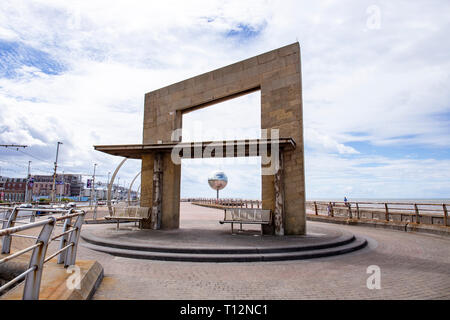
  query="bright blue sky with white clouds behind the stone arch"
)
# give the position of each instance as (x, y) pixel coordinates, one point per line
(375, 74)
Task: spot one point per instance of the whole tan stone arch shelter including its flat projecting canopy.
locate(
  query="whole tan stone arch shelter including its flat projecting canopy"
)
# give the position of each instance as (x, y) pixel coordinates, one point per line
(277, 74)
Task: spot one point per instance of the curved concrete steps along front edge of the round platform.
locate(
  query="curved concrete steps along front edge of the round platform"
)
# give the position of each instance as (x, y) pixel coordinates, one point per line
(355, 244)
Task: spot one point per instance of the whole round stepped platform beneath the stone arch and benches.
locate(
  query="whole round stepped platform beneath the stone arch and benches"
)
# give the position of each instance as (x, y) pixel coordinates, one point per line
(197, 245)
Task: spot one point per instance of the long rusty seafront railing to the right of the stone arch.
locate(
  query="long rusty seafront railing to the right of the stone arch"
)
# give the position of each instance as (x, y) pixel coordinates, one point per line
(419, 213)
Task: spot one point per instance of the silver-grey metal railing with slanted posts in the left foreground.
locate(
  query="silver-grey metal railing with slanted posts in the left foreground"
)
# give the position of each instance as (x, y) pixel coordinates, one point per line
(66, 253)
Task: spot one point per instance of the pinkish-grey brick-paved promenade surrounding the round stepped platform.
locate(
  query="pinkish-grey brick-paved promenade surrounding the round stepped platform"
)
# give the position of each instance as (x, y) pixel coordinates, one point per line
(413, 266)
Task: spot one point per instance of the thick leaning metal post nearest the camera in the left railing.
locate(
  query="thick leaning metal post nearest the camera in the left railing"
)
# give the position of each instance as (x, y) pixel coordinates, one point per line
(33, 279)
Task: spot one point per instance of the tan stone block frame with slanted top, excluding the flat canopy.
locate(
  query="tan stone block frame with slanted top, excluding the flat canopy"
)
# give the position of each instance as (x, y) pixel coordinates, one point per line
(277, 74)
